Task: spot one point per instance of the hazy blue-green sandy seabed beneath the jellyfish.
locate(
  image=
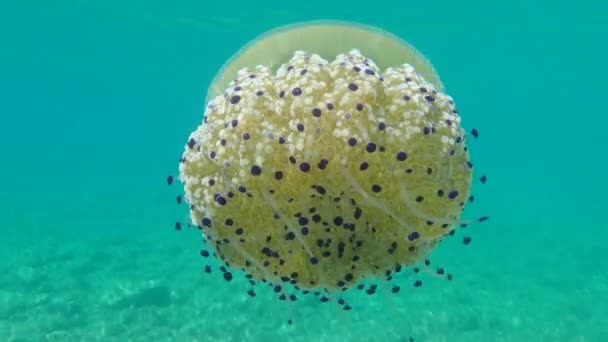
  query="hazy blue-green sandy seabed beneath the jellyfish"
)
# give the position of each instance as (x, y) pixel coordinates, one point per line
(134, 278)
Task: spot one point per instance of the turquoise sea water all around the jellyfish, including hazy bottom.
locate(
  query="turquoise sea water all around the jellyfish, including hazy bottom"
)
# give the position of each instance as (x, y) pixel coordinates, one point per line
(97, 99)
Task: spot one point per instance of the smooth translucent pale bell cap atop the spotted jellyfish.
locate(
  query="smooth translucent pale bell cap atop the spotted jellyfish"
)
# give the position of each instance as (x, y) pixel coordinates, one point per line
(327, 39)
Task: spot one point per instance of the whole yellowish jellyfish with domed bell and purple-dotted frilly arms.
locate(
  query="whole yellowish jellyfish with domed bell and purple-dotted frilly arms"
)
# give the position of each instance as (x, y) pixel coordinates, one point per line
(328, 154)
